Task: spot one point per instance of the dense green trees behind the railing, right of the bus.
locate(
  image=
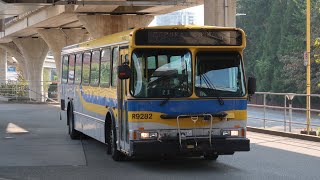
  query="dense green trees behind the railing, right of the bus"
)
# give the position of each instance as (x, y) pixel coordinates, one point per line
(276, 42)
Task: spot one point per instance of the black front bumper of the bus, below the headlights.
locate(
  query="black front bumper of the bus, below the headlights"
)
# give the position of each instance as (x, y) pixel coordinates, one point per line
(190, 147)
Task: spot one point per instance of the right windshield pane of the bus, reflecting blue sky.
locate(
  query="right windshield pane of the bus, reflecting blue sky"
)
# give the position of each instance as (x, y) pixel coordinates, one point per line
(219, 75)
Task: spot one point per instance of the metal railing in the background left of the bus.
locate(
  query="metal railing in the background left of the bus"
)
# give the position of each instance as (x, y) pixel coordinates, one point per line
(28, 91)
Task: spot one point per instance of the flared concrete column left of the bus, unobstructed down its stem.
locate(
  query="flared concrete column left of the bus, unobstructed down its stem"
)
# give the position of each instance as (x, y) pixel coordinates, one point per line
(34, 51)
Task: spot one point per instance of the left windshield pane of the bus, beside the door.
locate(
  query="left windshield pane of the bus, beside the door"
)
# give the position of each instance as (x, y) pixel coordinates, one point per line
(161, 73)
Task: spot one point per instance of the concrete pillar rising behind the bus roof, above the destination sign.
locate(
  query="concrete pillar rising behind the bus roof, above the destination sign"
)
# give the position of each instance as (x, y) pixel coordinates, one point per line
(220, 13)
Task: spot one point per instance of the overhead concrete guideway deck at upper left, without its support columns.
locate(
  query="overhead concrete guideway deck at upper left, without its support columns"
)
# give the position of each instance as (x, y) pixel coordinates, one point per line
(65, 16)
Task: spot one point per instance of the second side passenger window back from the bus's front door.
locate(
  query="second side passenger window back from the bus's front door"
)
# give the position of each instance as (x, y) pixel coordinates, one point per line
(105, 68)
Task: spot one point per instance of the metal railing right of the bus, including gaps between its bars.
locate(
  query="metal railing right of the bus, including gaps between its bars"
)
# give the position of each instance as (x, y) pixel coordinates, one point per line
(284, 109)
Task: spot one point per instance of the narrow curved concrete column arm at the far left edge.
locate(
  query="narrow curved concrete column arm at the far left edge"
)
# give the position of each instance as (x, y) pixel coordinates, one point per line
(15, 52)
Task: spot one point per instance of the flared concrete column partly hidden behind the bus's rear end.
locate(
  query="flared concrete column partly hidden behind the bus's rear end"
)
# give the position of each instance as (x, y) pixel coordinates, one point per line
(56, 39)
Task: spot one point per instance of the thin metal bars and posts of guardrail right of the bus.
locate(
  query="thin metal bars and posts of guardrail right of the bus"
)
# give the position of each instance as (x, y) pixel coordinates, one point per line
(288, 119)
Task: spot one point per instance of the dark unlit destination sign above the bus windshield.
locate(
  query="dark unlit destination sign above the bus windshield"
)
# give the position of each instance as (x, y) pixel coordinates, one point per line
(188, 37)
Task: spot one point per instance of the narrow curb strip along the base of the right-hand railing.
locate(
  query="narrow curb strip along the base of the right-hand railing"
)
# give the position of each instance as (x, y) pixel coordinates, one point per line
(284, 134)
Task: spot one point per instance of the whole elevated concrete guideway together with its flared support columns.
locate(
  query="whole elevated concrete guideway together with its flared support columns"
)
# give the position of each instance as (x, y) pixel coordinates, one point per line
(60, 23)
